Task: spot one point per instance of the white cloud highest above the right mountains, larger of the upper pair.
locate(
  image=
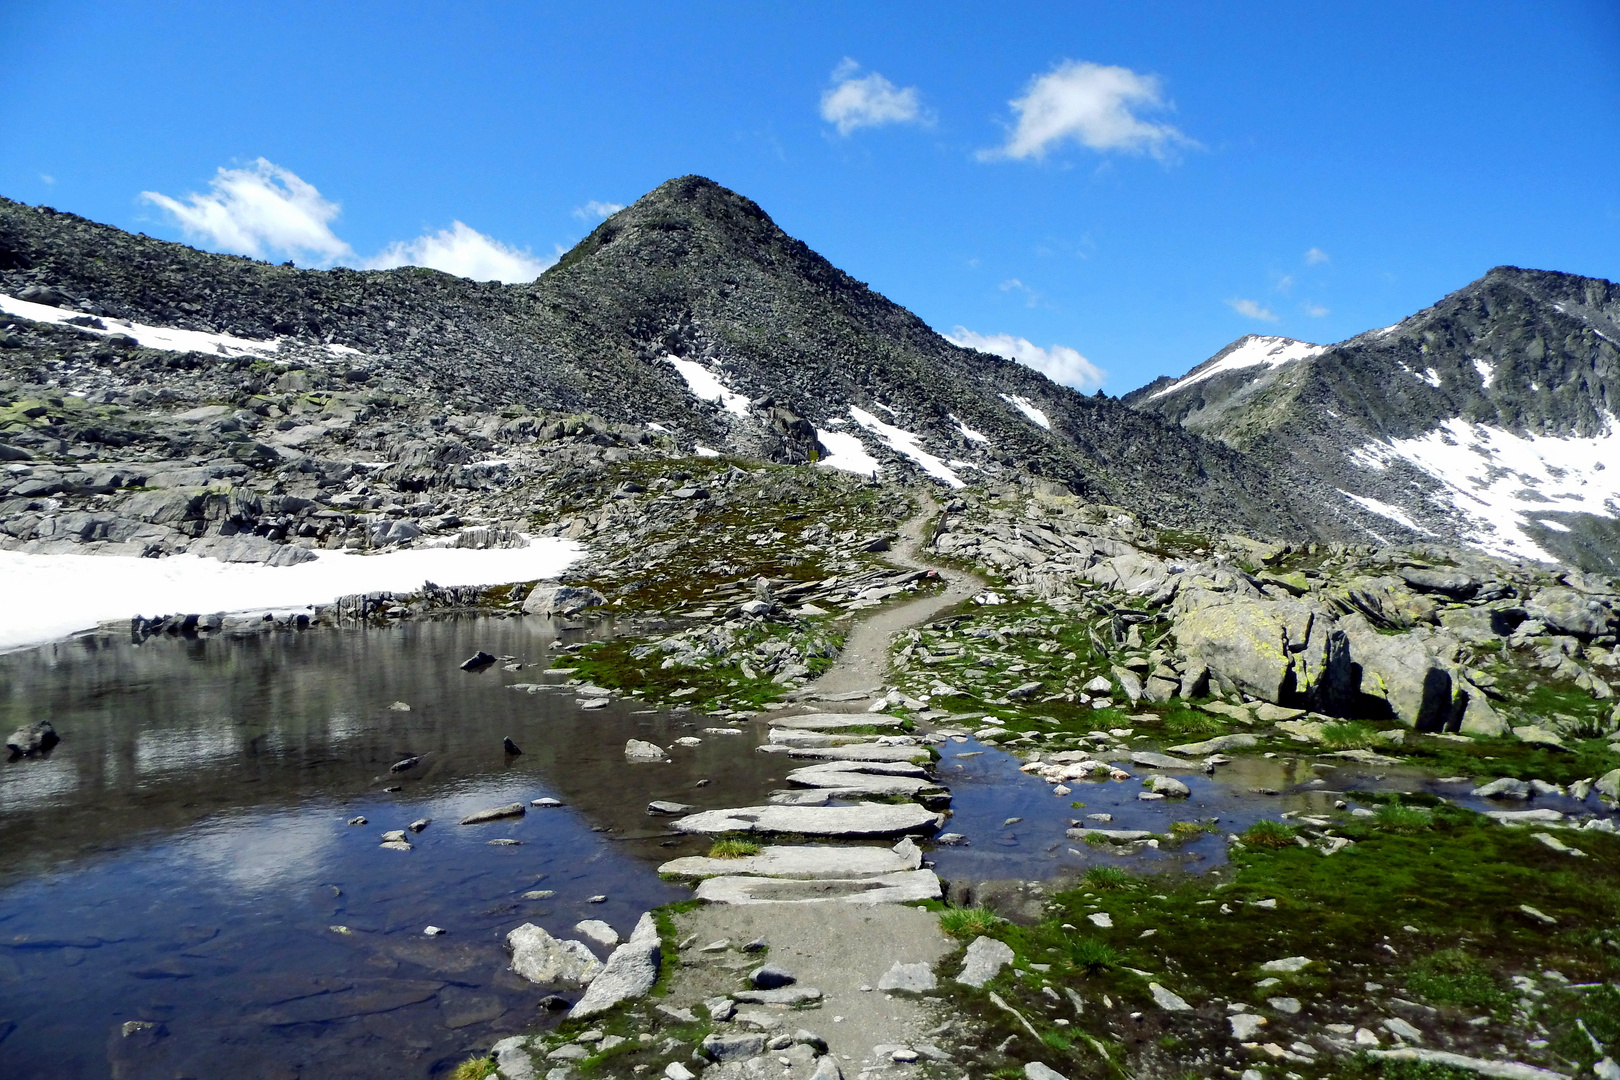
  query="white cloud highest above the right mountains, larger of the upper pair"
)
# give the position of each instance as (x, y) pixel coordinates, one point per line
(1094, 106)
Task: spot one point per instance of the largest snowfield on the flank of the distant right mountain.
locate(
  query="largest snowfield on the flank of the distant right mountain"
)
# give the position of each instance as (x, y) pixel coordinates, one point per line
(1501, 482)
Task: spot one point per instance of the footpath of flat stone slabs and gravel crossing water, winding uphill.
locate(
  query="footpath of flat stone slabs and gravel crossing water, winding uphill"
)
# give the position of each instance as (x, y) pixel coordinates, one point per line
(838, 917)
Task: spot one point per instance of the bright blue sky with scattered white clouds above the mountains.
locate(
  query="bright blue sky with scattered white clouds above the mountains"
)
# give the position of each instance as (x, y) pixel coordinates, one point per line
(1122, 192)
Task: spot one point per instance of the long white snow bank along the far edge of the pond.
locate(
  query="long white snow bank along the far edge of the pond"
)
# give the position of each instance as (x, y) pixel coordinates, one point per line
(53, 595)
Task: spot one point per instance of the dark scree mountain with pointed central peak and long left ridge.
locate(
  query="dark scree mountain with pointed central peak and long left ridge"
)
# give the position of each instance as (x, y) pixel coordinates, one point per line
(798, 357)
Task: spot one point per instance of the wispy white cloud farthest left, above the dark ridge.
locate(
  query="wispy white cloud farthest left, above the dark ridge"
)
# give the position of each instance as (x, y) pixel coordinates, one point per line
(258, 211)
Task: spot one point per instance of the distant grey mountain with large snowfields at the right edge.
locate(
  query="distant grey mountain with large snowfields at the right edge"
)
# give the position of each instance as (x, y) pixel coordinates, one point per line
(1488, 419)
